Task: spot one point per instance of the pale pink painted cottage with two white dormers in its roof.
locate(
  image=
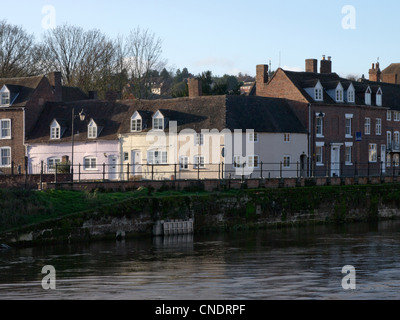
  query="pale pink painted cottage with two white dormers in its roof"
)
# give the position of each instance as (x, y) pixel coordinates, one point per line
(93, 151)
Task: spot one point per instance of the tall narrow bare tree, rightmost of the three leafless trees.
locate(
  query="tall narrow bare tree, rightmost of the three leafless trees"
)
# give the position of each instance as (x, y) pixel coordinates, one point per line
(143, 55)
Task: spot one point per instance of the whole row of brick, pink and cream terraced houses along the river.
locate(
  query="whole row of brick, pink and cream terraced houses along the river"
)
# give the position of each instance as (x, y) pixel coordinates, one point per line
(293, 124)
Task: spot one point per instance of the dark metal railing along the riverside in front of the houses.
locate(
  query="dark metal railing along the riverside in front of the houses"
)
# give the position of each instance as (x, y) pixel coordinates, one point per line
(261, 170)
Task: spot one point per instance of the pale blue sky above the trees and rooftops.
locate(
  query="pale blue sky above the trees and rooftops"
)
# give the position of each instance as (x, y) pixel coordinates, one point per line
(231, 36)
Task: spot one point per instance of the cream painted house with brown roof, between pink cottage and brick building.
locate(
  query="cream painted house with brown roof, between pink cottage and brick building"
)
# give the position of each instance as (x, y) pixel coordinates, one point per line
(212, 137)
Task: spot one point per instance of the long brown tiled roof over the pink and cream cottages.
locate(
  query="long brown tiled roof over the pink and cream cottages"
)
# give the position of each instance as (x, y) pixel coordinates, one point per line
(208, 112)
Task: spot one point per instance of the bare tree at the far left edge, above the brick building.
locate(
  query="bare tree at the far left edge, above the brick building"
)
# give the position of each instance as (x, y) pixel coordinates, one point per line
(18, 52)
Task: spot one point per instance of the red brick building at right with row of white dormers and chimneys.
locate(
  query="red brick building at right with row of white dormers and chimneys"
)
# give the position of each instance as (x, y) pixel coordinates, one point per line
(348, 121)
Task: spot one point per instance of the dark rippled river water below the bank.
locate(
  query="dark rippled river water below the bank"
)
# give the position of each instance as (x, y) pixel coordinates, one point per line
(302, 263)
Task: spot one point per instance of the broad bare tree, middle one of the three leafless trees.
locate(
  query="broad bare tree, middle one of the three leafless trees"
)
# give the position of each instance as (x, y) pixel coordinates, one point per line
(85, 58)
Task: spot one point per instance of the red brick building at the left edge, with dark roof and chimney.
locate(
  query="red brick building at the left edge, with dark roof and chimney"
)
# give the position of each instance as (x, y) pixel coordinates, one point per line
(21, 104)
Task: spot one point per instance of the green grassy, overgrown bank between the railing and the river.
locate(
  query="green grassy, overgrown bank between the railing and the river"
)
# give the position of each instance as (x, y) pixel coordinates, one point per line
(21, 208)
